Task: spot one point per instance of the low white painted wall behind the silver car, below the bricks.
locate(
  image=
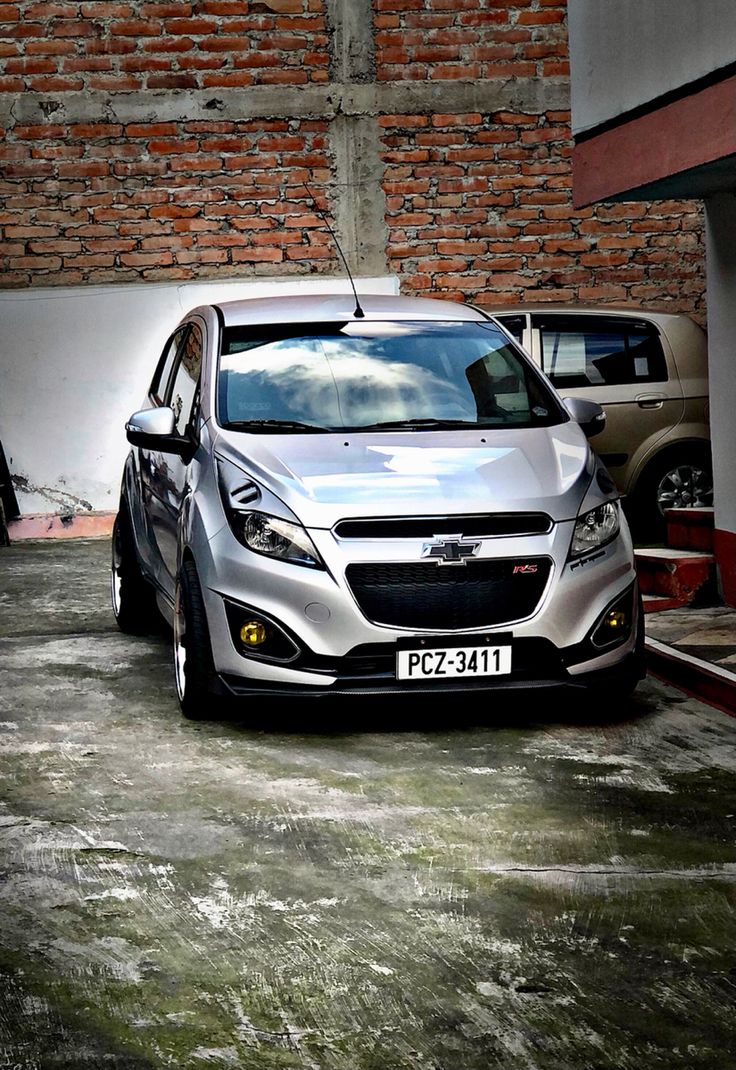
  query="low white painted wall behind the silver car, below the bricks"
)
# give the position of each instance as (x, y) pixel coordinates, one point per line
(76, 362)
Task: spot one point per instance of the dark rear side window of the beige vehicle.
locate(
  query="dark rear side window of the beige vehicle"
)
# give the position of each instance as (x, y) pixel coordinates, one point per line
(601, 351)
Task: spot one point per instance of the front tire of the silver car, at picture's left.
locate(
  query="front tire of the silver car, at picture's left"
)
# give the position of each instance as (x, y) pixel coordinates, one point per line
(193, 663)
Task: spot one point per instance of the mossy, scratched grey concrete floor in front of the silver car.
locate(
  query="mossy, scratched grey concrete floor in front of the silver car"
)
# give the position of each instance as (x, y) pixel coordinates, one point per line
(504, 885)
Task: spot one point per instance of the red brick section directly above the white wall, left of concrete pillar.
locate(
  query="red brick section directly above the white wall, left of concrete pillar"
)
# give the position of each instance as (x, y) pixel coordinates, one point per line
(102, 203)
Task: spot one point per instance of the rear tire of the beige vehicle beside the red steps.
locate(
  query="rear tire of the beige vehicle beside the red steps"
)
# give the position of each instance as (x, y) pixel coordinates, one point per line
(682, 479)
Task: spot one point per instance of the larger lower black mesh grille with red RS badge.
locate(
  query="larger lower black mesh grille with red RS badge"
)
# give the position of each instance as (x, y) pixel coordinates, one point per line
(450, 598)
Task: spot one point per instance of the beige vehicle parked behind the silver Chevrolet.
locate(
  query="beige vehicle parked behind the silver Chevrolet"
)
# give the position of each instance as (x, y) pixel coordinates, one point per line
(649, 371)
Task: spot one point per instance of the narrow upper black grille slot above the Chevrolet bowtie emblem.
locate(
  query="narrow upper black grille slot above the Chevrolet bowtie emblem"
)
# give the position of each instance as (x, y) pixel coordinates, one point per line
(484, 526)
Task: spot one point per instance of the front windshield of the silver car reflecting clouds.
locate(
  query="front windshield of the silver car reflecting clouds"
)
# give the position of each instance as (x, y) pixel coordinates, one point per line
(371, 375)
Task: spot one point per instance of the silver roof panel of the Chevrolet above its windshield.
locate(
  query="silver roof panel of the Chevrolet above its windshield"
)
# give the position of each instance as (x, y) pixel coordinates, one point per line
(324, 308)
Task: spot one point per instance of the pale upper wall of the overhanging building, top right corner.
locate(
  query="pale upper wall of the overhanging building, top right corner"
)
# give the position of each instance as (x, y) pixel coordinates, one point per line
(627, 53)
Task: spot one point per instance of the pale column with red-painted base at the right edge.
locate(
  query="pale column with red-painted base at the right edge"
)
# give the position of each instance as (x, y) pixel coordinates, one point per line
(720, 238)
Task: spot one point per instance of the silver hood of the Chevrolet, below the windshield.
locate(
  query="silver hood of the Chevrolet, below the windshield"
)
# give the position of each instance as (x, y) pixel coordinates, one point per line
(324, 479)
